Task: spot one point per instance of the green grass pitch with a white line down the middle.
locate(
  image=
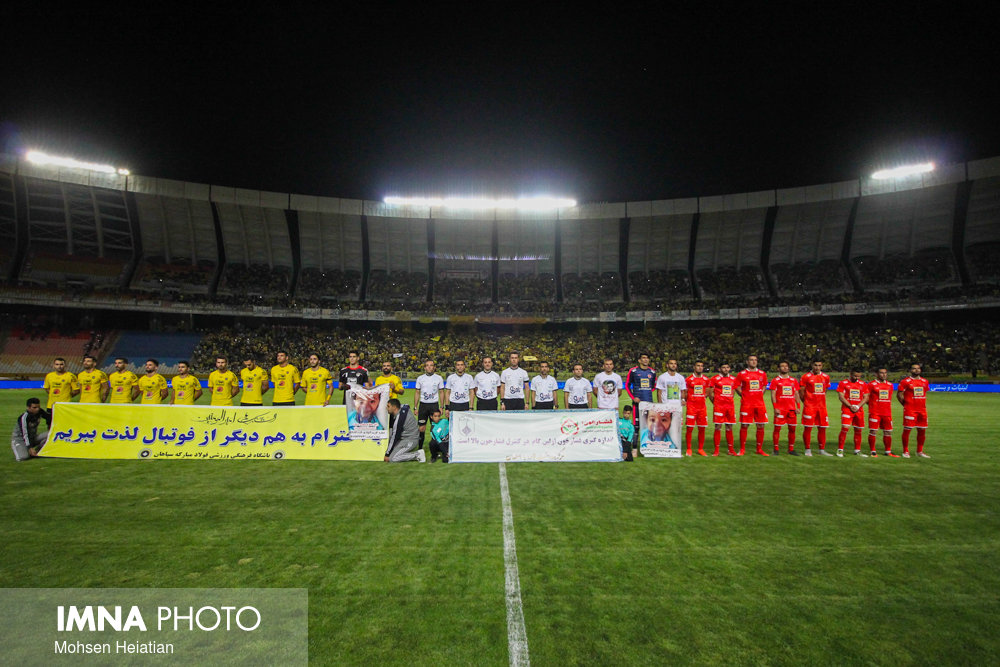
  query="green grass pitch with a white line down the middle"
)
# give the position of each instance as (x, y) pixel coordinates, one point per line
(705, 561)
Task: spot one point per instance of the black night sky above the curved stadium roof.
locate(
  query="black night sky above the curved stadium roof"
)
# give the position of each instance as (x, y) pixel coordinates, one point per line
(632, 103)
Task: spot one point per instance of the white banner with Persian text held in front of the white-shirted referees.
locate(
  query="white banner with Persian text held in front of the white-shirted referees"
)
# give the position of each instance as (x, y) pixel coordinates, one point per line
(538, 435)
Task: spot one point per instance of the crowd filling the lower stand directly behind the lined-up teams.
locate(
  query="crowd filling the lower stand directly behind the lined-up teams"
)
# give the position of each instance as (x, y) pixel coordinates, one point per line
(972, 347)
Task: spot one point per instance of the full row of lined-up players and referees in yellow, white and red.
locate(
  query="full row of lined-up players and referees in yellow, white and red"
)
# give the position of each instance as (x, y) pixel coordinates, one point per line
(512, 390)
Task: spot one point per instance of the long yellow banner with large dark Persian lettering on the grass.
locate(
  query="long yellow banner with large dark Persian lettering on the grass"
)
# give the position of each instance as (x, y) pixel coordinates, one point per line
(104, 431)
